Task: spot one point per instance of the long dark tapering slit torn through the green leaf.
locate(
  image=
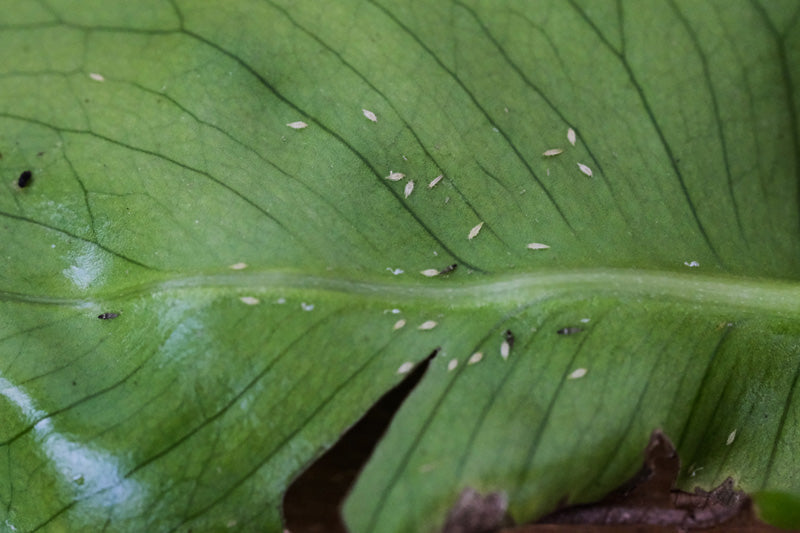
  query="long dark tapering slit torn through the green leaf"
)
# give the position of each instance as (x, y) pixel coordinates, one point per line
(313, 501)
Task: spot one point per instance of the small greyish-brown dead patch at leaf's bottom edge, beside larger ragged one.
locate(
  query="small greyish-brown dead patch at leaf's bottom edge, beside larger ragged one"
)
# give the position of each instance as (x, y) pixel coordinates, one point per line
(474, 513)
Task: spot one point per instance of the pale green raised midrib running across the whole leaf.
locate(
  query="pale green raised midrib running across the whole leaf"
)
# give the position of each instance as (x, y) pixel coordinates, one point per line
(771, 296)
